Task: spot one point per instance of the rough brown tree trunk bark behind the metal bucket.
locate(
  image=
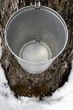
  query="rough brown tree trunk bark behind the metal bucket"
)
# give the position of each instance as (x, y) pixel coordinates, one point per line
(23, 83)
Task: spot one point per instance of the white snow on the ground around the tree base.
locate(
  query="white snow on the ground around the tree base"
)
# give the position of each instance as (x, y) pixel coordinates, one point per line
(62, 99)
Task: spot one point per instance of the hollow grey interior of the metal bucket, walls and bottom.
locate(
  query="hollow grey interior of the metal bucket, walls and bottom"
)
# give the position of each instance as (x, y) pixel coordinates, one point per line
(35, 27)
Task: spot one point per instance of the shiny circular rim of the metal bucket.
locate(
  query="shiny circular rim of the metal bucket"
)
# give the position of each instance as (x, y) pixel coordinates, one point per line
(56, 14)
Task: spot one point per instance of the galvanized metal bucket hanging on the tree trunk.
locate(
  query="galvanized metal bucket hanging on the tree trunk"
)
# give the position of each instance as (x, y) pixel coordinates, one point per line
(36, 37)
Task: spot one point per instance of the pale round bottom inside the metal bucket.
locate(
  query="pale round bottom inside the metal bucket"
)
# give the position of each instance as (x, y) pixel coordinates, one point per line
(35, 51)
